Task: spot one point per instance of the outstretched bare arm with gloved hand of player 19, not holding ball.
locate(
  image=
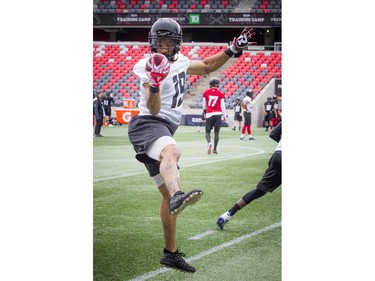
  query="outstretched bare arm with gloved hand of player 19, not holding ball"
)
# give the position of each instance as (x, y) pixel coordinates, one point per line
(214, 62)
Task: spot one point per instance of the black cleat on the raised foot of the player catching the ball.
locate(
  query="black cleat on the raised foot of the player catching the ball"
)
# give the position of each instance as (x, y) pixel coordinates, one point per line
(180, 200)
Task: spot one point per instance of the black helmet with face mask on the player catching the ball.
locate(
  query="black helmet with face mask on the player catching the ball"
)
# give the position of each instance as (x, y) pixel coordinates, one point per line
(165, 37)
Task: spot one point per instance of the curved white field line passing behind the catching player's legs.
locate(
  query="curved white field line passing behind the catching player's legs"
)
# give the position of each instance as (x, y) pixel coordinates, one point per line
(211, 160)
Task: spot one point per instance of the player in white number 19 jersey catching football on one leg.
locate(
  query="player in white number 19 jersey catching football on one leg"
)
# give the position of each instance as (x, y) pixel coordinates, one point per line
(162, 83)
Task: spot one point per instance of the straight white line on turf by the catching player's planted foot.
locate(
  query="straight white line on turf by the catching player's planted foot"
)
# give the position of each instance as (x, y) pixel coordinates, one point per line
(210, 251)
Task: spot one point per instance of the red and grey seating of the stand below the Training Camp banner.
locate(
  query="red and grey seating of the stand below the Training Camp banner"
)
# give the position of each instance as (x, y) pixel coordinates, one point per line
(113, 63)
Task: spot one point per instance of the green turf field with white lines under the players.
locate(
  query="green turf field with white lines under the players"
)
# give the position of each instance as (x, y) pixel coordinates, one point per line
(127, 230)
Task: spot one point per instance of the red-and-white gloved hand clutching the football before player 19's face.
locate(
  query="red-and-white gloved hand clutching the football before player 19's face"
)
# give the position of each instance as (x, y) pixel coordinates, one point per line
(157, 68)
